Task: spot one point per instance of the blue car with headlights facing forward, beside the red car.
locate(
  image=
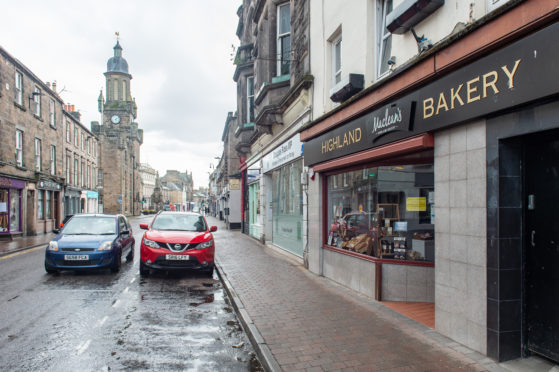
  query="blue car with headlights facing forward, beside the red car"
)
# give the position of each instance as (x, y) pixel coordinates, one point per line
(91, 241)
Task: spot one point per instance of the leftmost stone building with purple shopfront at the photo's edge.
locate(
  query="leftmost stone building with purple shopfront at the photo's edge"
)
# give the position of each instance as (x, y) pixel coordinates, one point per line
(31, 179)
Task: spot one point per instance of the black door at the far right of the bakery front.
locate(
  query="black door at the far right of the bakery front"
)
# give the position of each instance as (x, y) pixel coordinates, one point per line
(542, 244)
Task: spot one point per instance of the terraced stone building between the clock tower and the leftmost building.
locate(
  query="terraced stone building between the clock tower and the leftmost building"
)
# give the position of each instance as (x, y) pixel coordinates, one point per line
(79, 165)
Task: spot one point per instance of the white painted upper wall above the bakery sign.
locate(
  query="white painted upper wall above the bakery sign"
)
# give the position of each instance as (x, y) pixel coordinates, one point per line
(357, 20)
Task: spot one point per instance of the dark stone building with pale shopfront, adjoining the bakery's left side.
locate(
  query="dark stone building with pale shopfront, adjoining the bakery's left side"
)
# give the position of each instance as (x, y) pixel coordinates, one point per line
(274, 100)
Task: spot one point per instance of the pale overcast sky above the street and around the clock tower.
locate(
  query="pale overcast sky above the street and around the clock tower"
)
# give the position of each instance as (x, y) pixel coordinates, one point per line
(178, 53)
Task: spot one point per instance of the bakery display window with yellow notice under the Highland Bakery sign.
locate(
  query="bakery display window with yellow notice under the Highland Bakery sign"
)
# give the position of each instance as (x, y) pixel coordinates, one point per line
(385, 212)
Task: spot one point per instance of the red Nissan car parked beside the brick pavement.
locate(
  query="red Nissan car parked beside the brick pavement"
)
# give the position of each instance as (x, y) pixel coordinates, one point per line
(177, 241)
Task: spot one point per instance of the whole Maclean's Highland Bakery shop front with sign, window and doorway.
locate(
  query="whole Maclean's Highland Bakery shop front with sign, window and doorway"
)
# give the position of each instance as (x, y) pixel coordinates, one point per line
(445, 191)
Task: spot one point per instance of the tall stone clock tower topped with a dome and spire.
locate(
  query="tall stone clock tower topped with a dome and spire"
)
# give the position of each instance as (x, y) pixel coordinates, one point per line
(119, 141)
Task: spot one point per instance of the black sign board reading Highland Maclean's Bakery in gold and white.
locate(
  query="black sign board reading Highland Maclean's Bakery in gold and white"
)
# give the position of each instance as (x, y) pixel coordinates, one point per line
(517, 74)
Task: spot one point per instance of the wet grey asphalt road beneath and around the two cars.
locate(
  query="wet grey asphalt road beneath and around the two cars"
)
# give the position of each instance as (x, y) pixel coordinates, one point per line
(99, 321)
